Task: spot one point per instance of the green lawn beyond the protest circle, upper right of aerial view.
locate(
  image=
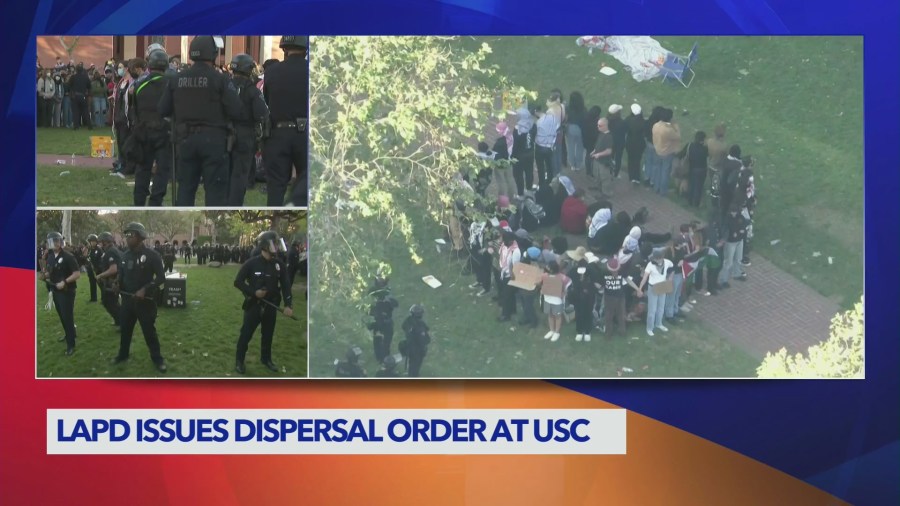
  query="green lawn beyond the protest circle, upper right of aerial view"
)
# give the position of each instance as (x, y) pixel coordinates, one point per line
(804, 129)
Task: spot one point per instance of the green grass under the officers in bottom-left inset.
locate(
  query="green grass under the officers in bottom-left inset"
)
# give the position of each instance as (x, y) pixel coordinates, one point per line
(198, 341)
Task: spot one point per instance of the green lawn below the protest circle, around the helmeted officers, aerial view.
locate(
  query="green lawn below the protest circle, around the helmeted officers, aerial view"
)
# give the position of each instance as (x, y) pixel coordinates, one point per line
(468, 342)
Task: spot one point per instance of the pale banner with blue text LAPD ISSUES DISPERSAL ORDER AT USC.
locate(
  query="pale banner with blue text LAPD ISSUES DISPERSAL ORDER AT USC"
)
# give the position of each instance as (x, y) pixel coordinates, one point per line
(327, 431)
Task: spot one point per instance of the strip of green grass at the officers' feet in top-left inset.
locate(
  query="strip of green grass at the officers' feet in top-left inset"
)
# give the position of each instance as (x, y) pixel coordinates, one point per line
(95, 187)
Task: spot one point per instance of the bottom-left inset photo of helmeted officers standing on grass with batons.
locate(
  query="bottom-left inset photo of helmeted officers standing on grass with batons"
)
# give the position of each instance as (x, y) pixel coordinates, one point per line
(171, 294)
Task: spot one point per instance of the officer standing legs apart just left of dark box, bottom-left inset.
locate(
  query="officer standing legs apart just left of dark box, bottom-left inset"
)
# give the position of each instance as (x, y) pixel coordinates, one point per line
(140, 277)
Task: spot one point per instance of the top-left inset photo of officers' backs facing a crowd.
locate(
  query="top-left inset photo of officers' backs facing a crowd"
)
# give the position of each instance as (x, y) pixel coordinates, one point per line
(183, 121)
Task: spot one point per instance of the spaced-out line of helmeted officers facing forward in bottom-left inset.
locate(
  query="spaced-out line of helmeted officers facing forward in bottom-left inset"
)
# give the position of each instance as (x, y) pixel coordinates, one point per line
(130, 282)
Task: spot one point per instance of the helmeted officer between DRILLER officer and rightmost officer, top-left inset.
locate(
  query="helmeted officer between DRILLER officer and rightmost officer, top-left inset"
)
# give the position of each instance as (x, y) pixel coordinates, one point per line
(253, 112)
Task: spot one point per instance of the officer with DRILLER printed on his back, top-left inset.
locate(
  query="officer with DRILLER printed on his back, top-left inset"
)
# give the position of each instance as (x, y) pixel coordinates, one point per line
(203, 102)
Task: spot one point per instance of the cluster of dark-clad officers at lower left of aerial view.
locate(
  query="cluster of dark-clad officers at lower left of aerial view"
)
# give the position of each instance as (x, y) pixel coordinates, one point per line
(412, 349)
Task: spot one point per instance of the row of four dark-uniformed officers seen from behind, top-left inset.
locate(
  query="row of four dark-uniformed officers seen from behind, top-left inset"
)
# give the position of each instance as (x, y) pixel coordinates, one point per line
(210, 124)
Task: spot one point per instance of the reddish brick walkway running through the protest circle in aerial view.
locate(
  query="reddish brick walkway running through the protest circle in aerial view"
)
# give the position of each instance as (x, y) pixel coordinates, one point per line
(769, 311)
